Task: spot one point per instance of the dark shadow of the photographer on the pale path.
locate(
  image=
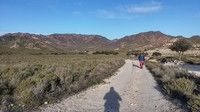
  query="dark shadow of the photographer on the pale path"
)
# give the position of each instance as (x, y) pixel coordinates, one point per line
(112, 99)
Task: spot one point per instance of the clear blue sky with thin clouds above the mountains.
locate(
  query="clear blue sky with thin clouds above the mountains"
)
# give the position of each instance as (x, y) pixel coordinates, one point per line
(109, 18)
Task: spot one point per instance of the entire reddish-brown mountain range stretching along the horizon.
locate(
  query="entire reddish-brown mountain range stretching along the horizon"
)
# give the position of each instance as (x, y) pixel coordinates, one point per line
(20, 42)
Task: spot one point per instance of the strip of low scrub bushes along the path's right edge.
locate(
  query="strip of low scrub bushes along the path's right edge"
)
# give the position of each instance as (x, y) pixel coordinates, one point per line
(178, 83)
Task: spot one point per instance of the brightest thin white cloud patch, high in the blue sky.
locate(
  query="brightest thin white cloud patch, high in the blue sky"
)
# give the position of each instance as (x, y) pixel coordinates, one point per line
(144, 8)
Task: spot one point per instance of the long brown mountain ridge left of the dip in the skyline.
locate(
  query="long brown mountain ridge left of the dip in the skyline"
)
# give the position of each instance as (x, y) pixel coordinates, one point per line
(53, 42)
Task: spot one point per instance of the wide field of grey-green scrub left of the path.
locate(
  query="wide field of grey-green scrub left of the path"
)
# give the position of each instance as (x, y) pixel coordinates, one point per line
(27, 81)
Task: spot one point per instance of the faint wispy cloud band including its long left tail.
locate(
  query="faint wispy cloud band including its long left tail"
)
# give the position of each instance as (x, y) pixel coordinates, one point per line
(126, 11)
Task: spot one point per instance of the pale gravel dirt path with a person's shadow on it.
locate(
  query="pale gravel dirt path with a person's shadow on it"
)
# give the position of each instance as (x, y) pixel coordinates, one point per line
(135, 88)
